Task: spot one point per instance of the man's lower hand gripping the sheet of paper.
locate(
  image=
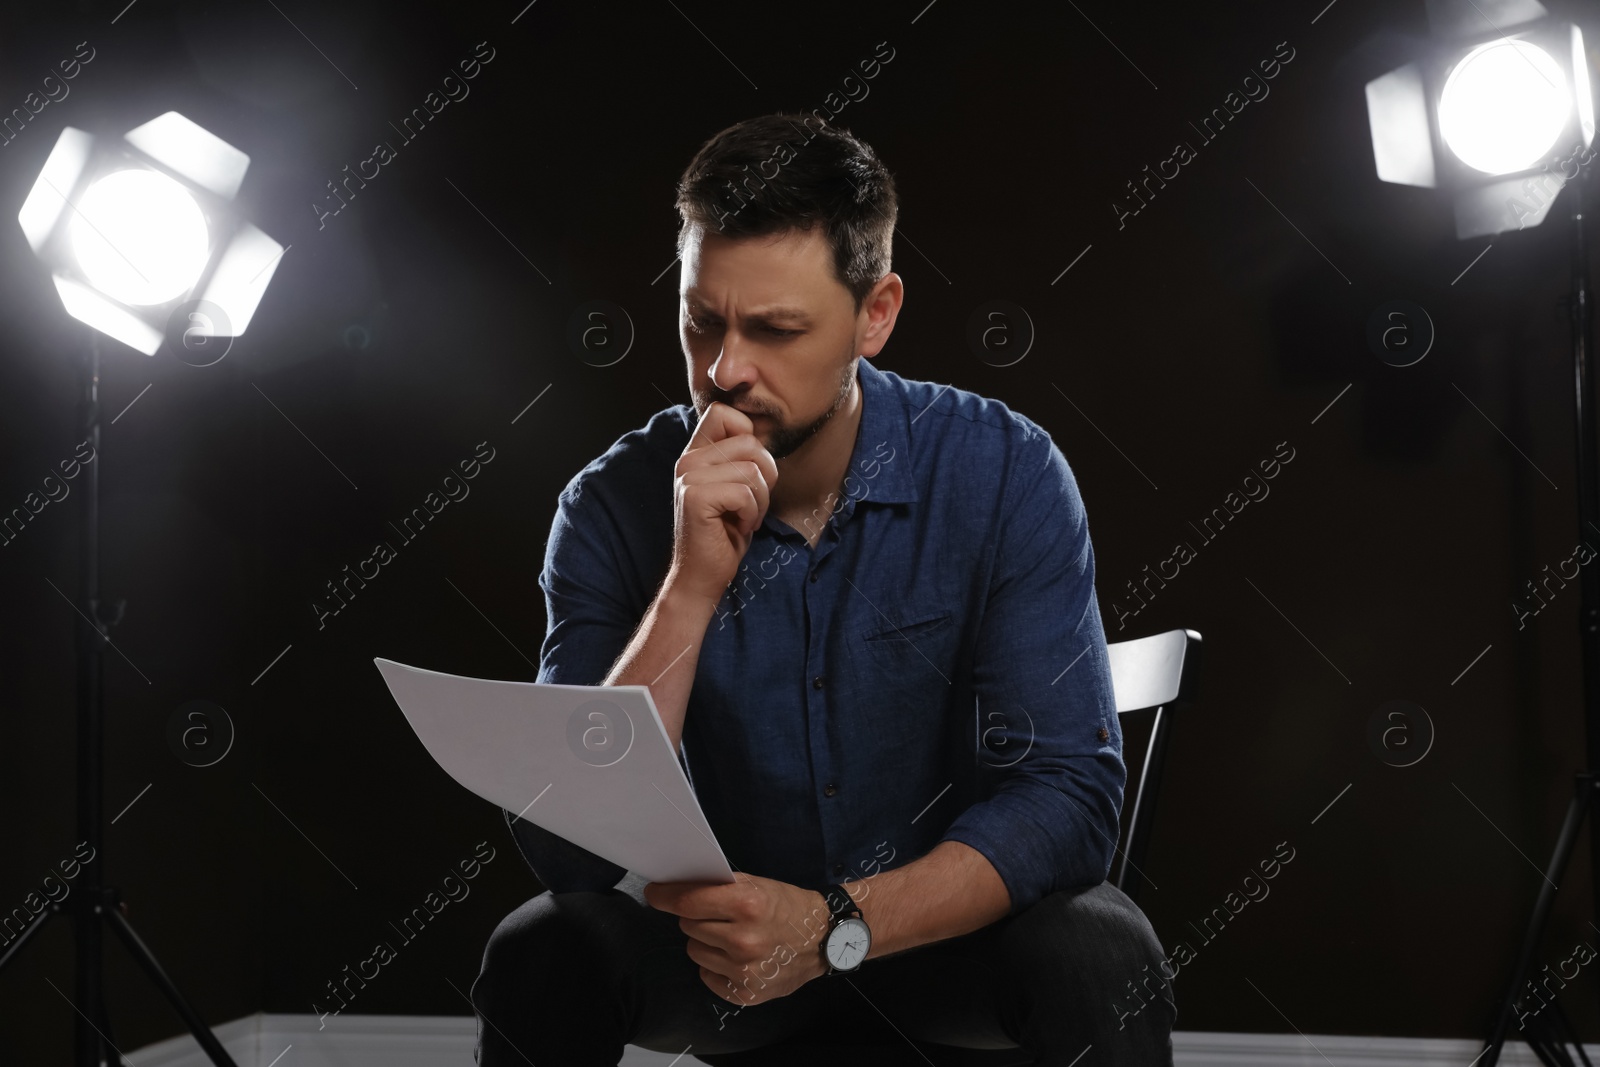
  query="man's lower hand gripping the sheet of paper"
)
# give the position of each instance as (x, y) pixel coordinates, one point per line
(756, 940)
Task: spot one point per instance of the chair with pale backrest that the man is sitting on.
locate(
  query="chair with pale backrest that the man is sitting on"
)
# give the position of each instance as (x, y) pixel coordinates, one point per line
(1156, 673)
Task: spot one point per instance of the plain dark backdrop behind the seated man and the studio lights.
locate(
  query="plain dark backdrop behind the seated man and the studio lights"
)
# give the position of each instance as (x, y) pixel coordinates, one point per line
(1177, 354)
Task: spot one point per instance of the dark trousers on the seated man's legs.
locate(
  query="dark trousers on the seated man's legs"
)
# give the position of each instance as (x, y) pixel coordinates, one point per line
(570, 980)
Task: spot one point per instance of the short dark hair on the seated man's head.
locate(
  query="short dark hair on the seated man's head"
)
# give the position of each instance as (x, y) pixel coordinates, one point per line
(790, 172)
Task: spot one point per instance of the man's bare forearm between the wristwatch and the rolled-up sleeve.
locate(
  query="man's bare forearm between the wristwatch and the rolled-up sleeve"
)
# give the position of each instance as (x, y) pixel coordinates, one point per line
(951, 892)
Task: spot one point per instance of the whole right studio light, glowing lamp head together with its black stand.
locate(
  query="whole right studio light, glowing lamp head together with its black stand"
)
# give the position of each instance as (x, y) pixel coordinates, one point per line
(1498, 114)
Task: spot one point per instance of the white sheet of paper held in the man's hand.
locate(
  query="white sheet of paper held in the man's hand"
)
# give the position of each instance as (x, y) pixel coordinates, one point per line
(591, 764)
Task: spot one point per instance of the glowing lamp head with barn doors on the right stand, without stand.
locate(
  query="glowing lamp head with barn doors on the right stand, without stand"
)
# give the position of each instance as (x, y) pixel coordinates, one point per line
(1495, 113)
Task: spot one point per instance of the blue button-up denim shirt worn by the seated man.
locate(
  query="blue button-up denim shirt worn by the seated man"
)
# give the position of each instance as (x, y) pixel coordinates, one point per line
(934, 669)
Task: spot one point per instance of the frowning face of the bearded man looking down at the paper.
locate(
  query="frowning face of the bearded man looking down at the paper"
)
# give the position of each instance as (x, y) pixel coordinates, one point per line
(769, 330)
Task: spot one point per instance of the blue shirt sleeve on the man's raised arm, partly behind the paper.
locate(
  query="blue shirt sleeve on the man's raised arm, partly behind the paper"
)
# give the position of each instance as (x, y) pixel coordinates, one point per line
(588, 626)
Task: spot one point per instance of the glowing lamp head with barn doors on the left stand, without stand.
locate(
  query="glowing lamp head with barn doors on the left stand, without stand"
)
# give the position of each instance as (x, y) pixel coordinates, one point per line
(142, 234)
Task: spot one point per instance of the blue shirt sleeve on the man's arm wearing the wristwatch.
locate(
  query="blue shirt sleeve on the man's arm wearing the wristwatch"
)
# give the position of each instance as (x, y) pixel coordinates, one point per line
(1044, 697)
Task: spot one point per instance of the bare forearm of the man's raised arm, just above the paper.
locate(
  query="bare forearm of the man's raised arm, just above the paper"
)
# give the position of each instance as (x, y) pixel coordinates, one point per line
(665, 653)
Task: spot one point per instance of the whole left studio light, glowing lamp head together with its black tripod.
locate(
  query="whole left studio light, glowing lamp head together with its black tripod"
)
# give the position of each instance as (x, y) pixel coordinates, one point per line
(143, 242)
